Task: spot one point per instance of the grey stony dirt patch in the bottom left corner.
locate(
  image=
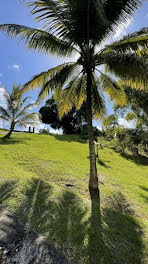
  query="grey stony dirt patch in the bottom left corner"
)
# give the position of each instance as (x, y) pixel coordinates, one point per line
(20, 246)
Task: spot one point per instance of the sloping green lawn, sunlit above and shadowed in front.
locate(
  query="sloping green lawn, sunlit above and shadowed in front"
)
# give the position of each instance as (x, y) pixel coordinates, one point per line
(44, 180)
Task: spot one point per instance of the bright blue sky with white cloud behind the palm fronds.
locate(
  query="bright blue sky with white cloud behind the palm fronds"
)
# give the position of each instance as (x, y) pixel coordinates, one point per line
(18, 65)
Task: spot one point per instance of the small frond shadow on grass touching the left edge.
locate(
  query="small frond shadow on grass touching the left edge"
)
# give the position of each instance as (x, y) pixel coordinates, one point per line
(7, 188)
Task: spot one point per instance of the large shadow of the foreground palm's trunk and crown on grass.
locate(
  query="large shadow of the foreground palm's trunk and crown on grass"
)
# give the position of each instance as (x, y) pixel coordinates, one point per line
(109, 236)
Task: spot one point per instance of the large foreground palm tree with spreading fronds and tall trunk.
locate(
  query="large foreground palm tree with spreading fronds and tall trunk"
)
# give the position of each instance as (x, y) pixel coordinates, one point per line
(80, 27)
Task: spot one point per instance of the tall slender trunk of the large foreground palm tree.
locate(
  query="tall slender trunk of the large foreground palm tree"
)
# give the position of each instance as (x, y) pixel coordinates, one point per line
(93, 180)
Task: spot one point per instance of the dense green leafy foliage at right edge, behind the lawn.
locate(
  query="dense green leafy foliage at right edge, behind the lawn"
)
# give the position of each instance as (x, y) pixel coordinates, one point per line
(135, 109)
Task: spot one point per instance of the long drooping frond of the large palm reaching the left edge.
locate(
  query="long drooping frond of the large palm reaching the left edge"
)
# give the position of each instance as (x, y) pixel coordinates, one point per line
(37, 39)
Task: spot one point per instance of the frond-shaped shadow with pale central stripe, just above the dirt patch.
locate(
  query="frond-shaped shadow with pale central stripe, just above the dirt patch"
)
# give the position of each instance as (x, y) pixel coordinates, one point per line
(35, 209)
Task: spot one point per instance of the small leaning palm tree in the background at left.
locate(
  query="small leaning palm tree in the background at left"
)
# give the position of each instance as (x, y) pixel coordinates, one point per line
(15, 112)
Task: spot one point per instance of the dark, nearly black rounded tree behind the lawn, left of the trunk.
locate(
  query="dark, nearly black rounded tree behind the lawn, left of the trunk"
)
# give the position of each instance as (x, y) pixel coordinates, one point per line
(72, 123)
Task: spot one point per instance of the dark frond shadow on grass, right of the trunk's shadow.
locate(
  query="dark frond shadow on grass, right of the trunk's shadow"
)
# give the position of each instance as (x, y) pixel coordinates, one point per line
(123, 233)
